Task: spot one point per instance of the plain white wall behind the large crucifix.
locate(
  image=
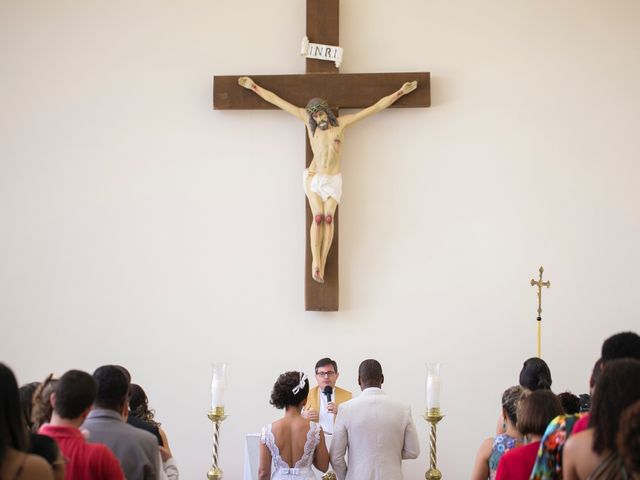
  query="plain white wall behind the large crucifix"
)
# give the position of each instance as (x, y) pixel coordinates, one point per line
(143, 228)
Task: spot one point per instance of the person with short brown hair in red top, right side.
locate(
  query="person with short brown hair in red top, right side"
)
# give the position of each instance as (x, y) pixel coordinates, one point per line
(535, 412)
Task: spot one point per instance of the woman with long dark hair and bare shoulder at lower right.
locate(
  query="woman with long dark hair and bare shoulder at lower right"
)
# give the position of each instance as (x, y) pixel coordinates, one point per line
(593, 453)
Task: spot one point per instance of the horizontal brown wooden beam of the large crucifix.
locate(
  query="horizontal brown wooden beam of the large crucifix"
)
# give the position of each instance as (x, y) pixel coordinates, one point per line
(337, 88)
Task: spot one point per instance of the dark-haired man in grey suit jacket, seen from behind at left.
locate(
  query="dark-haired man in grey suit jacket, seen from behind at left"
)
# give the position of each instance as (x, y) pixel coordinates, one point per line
(136, 449)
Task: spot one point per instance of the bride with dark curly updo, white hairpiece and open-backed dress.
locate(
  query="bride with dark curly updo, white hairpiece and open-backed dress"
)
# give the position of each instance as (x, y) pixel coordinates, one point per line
(293, 443)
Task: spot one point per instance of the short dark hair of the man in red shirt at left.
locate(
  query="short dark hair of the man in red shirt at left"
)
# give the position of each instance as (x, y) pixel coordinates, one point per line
(75, 392)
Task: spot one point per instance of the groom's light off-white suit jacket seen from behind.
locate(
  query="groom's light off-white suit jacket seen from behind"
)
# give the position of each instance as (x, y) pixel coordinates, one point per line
(378, 432)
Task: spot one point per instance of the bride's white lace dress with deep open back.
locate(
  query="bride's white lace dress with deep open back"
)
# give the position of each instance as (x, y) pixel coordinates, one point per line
(302, 469)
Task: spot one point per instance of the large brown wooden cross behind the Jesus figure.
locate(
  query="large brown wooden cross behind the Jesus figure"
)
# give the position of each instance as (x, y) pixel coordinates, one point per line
(340, 91)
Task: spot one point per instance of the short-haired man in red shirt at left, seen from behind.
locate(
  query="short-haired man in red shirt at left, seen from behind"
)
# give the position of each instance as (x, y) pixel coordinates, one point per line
(72, 401)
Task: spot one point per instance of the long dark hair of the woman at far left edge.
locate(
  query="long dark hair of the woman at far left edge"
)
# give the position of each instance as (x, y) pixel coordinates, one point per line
(12, 429)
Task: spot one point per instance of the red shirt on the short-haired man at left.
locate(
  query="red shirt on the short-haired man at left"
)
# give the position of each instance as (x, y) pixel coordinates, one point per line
(86, 461)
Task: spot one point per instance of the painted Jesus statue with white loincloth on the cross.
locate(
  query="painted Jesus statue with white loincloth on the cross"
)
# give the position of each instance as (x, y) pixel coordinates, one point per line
(322, 179)
